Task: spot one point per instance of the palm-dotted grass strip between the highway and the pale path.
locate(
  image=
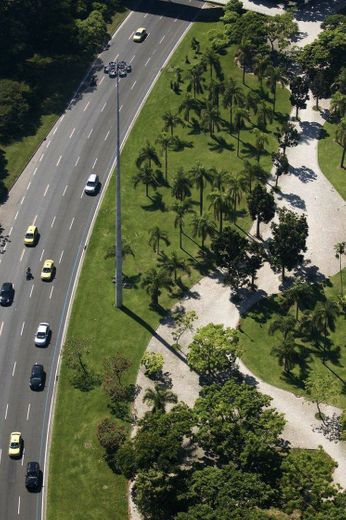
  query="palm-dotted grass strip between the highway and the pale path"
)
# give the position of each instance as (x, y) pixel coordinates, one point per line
(188, 177)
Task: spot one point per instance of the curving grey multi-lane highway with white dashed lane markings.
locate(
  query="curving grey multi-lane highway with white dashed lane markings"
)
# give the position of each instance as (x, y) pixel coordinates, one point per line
(50, 195)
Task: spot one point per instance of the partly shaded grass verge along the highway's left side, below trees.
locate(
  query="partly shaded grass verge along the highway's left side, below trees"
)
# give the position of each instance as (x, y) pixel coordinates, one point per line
(56, 81)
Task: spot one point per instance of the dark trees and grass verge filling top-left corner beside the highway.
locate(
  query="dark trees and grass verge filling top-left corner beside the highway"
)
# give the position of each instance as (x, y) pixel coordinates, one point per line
(44, 54)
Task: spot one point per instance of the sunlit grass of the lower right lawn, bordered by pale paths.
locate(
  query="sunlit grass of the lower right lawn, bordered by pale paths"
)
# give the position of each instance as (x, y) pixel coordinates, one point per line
(257, 345)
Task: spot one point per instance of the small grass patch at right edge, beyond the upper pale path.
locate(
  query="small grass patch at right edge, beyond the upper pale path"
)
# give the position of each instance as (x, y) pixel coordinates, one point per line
(329, 157)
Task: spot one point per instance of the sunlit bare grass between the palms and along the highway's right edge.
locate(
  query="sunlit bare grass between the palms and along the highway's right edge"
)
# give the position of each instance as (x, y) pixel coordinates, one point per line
(76, 461)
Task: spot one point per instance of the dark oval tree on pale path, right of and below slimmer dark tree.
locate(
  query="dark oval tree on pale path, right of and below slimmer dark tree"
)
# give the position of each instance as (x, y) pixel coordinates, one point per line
(288, 241)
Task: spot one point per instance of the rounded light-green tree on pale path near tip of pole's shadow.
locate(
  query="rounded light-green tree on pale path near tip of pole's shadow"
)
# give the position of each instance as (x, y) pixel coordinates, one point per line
(214, 349)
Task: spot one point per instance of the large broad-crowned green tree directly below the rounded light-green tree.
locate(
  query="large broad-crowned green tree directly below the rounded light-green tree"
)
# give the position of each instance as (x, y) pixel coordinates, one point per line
(236, 423)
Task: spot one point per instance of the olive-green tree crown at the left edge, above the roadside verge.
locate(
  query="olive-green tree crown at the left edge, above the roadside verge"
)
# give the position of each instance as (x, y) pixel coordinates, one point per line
(14, 108)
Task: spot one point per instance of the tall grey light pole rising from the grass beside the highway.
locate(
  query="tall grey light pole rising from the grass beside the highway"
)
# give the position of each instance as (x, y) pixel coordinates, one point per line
(118, 256)
